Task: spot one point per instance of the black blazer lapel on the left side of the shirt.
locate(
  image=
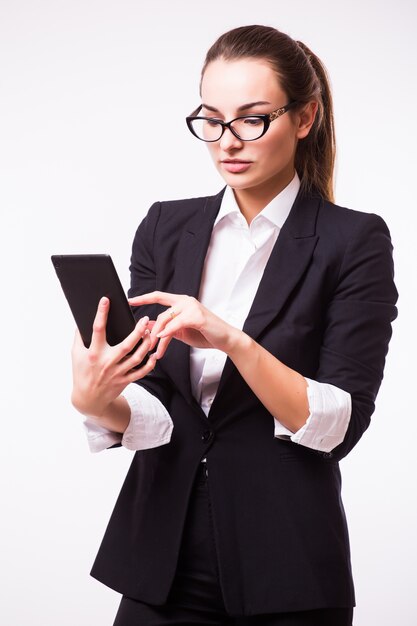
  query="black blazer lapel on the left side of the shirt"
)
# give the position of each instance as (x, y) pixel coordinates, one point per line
(192, 250)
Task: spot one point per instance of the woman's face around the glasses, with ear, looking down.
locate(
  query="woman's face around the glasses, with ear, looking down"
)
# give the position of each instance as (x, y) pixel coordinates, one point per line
(248, 87)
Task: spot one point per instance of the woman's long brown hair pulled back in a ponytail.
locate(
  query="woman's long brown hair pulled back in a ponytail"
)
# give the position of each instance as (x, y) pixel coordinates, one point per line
(304, 78)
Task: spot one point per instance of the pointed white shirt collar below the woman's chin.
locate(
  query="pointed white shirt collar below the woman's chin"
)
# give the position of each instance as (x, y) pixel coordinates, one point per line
(276, 211)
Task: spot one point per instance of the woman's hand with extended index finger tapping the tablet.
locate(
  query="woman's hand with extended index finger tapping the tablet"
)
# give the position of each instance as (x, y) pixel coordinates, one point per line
(187, 320)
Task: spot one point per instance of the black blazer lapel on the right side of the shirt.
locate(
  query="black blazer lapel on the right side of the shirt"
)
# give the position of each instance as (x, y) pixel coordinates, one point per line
(288, 262)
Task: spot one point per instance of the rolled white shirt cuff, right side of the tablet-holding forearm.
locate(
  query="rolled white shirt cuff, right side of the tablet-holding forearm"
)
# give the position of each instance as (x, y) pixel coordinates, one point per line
(150, 423)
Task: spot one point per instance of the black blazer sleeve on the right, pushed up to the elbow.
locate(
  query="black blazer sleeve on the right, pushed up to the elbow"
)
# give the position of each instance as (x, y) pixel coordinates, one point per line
(358, 325)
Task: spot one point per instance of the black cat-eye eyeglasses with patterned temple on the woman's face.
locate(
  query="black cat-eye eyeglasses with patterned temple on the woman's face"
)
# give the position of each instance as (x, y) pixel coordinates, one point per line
(245, 127)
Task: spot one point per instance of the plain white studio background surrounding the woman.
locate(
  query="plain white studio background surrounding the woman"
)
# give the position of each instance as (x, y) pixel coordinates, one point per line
(93, 99)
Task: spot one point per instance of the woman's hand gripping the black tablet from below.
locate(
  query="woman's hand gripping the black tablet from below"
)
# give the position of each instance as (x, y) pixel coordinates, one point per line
(101, 372)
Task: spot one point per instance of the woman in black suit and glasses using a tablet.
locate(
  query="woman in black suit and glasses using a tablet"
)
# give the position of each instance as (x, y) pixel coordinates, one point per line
(268, 310)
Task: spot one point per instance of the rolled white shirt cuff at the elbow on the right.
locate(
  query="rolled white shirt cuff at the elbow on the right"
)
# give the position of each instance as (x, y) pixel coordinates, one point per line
(330, 410)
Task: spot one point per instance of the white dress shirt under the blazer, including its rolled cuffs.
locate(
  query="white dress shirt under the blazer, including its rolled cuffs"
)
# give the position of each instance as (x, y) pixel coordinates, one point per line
(234, 265)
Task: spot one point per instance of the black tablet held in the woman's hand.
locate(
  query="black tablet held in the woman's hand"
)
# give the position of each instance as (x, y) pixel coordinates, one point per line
(85, 279)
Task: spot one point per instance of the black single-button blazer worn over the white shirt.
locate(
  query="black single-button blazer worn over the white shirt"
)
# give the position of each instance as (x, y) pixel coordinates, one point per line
(324, 307)
